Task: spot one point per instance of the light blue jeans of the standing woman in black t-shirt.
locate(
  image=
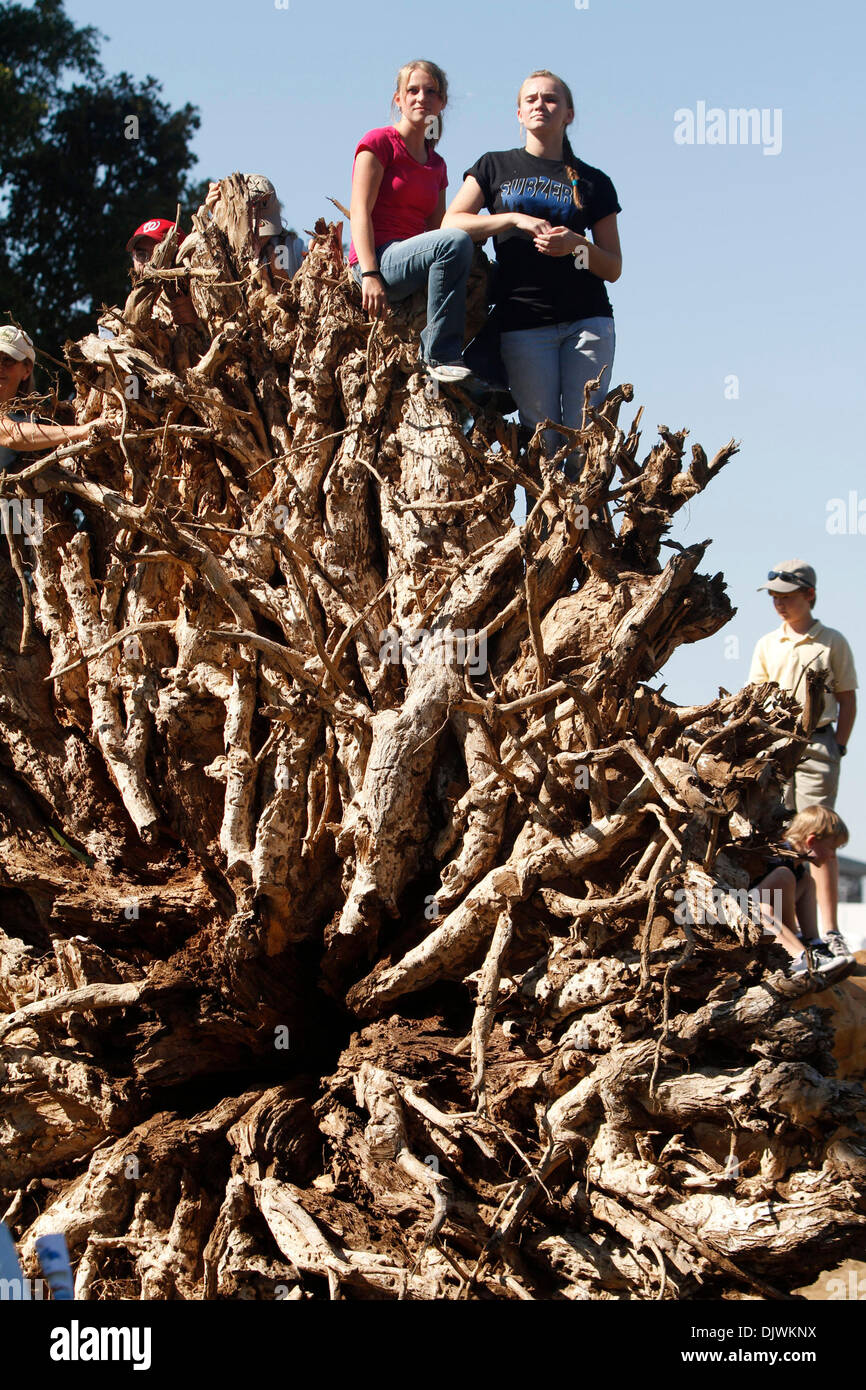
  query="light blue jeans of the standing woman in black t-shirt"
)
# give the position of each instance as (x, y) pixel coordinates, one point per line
(548, 369)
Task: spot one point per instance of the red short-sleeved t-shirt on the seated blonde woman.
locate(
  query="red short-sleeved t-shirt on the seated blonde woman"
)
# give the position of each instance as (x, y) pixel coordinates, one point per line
(409, 191)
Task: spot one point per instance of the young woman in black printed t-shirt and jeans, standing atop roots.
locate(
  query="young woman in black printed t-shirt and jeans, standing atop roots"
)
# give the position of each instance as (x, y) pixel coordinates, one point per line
(551, 301)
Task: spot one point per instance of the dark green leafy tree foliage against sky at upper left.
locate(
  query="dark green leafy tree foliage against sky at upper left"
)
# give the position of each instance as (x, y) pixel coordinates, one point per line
(85, 158)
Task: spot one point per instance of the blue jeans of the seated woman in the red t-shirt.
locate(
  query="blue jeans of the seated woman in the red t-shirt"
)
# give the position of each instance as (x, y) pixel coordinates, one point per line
(441, 261)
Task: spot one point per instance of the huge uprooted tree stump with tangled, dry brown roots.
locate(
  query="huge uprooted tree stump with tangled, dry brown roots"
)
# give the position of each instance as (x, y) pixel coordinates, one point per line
(372, 926)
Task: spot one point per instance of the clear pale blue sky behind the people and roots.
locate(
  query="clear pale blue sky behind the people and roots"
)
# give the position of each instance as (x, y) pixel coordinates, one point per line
(736, 263)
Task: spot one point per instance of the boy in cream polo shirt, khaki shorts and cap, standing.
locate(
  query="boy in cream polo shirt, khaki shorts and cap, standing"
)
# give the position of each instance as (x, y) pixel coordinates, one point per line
(804, 644)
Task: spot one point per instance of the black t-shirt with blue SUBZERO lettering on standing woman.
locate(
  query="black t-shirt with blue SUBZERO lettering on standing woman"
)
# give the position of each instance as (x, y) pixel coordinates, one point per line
(534, 290)
